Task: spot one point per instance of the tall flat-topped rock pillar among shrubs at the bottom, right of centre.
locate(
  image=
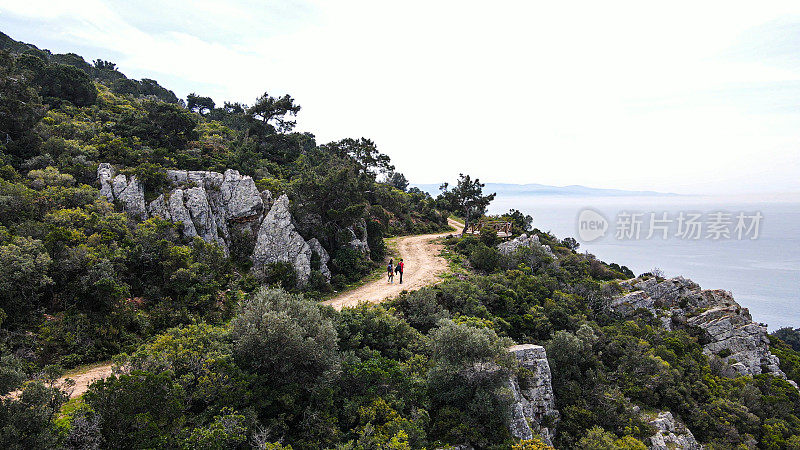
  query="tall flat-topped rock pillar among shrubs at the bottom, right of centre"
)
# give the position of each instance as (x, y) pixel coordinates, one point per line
(534, 409)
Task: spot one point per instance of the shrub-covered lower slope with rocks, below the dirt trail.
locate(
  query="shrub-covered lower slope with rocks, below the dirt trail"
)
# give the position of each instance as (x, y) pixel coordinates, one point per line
(432, 368)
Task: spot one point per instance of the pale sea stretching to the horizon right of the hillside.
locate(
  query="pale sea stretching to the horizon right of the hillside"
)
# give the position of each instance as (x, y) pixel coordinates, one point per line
(757, 260)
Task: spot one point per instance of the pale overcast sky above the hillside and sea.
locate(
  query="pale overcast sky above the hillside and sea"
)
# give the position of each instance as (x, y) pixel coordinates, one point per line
(694, 97)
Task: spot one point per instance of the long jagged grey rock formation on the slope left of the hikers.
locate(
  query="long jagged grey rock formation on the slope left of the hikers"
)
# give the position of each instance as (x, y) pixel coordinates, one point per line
(217, 206)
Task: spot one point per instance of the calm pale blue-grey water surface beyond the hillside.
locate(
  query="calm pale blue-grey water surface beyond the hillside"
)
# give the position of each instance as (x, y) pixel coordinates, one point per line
(762, 274)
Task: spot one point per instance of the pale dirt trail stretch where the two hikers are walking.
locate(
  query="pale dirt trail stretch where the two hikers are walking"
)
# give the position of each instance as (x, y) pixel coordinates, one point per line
(423, 266)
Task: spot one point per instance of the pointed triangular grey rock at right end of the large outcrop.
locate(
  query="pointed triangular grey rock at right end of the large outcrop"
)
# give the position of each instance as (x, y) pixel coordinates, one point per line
(279, 241)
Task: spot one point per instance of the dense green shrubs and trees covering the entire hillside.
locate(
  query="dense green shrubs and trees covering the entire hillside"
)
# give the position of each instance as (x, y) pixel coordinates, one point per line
(209, 359)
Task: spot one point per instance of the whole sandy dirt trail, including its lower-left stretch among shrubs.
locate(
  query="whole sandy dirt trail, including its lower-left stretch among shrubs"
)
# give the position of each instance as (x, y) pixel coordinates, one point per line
(423, 266)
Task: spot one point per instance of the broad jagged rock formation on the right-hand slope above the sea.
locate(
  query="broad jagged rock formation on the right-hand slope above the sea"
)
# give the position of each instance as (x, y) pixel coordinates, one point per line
(730, 332)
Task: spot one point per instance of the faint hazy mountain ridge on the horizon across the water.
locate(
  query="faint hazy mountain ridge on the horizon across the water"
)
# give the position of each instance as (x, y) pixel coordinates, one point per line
(574, 190)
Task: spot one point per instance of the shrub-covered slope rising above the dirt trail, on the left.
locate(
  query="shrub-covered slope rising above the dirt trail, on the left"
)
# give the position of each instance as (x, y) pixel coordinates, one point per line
(82, 281)
